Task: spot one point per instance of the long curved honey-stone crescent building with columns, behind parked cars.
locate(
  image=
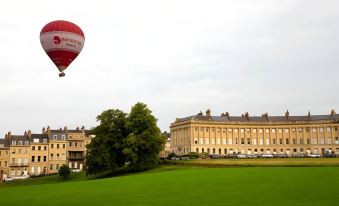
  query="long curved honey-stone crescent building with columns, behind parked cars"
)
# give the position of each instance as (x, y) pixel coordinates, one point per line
(281, 135)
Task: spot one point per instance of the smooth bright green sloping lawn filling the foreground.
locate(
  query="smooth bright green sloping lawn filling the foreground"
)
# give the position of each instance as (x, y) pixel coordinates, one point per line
(178, 185)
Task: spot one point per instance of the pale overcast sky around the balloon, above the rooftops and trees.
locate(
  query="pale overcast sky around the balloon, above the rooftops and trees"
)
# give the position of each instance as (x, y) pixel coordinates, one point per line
(178, 57)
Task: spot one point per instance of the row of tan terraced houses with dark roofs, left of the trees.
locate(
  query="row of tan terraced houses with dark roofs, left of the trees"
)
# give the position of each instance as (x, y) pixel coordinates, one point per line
(30, 154)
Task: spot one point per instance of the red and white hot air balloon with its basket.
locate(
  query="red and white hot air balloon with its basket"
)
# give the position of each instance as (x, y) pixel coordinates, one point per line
(62, 41)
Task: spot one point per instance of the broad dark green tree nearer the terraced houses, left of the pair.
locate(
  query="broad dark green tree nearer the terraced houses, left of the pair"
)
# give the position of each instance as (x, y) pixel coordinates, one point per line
(105, 152)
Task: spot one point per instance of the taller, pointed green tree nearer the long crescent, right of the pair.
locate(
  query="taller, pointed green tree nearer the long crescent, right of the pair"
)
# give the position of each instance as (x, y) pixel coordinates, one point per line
(144, 141)
